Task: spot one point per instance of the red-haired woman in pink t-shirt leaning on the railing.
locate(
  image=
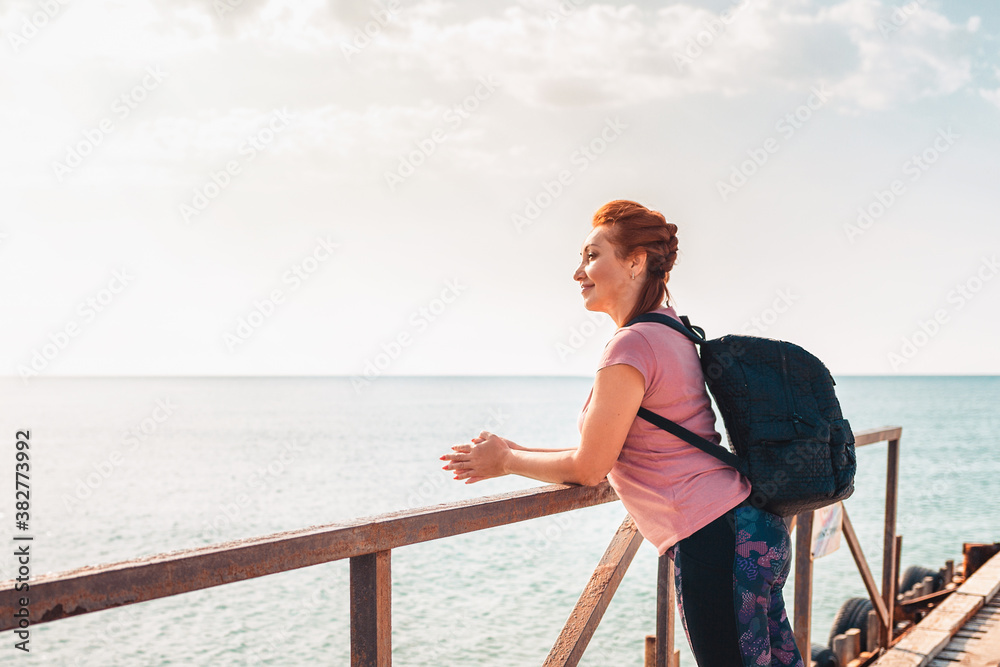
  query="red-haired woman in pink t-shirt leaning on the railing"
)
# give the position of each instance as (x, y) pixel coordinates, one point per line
(731, 559)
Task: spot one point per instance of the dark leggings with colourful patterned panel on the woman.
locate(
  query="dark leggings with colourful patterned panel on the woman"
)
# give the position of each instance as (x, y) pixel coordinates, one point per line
(729, 577)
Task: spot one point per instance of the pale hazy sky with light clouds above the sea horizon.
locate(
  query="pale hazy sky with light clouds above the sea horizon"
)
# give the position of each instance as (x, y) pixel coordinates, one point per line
(226, 187)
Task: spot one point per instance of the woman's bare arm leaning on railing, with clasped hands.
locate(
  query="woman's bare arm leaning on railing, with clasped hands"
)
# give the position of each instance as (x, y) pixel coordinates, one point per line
(618, 391)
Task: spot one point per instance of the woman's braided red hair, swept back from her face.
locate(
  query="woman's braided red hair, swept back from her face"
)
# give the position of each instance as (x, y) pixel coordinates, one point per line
(632, 228)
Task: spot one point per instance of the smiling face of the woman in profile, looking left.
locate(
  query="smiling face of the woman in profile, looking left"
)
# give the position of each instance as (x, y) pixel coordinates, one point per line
(605, 281)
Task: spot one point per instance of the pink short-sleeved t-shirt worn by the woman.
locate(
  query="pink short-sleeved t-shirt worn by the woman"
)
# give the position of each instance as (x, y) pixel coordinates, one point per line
(669, 487)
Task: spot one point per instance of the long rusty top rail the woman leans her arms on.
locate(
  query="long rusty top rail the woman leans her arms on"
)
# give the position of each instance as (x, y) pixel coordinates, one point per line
(94, 588)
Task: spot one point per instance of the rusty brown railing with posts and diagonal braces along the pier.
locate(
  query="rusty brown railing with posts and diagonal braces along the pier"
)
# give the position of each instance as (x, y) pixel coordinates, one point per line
(368, 543)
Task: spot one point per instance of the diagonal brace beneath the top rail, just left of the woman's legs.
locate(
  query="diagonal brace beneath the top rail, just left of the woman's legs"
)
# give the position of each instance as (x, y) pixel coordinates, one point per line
(594, 600)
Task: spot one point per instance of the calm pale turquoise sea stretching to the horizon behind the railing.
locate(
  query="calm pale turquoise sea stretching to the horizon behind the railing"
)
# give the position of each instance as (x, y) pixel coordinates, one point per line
(122, 468)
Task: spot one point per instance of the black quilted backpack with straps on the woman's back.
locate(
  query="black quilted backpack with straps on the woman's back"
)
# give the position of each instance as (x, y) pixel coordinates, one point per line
(782, 418)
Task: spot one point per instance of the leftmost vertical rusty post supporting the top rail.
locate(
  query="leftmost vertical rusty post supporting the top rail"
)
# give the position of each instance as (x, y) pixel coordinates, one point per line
(371, 610)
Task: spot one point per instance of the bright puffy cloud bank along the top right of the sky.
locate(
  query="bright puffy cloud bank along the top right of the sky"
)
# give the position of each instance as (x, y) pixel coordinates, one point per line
(608, 55)
